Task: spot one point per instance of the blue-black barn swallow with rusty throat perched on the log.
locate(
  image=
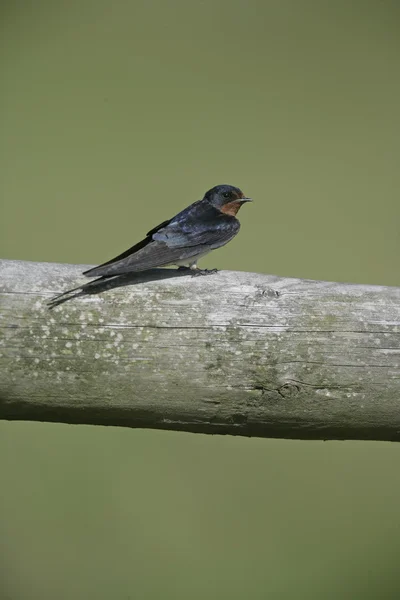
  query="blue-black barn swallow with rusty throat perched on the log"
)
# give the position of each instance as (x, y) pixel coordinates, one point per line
(201, 227)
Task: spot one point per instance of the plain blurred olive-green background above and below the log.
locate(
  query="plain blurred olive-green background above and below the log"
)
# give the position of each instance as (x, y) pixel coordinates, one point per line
(115, 116)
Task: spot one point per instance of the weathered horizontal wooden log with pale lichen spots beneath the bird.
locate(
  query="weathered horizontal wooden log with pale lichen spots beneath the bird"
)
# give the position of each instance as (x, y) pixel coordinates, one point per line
(236, 353)
